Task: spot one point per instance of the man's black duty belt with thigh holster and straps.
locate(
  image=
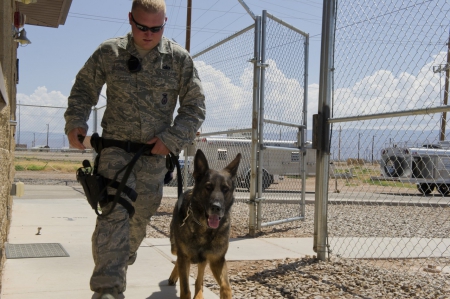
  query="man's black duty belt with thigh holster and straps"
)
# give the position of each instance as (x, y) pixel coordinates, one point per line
(95, 185)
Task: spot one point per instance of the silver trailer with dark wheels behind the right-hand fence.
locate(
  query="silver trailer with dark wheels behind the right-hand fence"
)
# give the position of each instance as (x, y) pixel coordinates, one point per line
(428, 166)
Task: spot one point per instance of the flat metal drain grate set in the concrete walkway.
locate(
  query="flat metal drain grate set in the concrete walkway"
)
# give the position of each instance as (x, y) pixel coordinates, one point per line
(20, 251)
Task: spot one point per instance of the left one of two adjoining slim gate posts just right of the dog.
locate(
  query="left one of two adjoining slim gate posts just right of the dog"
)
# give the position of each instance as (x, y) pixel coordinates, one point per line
(254, 146)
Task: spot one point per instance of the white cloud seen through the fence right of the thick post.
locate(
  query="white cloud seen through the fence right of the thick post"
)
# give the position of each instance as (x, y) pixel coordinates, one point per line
(384, 92)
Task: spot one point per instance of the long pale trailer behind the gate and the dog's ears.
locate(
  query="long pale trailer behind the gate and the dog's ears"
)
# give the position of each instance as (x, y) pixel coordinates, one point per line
(280, 158)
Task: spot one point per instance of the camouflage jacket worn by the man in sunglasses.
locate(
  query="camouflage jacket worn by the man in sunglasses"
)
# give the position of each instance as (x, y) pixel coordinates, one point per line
(140, 105)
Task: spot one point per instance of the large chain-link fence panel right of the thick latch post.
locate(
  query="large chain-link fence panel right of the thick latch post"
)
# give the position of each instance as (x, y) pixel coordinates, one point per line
(390, 158)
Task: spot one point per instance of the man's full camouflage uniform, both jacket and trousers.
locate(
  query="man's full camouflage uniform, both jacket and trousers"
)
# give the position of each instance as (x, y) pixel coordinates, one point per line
(139, 106)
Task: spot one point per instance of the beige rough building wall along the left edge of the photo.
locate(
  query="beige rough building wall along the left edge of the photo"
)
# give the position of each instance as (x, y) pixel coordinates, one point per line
(8, 55)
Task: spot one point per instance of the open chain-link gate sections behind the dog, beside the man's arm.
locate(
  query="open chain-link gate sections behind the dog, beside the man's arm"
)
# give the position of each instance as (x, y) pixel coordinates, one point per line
(255, 84)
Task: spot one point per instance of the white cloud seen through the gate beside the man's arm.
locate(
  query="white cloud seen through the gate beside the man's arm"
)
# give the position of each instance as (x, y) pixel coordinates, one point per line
(229, 104)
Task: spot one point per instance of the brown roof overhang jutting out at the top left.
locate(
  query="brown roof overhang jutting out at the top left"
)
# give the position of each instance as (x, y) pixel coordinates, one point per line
(46, 13)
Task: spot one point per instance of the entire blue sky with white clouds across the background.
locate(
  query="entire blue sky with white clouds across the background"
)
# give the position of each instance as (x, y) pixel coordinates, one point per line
(384, 60)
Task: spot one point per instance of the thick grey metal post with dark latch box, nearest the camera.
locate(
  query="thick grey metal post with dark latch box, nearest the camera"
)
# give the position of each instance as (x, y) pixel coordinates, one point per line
(322, 130)
